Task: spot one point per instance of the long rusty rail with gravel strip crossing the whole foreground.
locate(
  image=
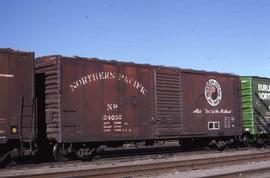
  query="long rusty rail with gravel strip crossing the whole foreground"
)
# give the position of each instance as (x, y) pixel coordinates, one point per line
(144, 167)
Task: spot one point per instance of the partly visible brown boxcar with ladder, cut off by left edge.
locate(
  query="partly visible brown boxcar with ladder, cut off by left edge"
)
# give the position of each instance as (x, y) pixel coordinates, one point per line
(17, 111)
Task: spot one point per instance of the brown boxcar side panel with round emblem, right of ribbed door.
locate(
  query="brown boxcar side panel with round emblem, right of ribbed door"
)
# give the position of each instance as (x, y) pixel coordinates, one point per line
(197, 111)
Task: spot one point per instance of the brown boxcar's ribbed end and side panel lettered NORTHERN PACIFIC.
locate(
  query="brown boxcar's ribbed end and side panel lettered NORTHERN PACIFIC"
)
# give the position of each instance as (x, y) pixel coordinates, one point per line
(98, 100)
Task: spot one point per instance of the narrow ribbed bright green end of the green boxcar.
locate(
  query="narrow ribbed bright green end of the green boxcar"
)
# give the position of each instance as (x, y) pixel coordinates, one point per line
(247, 105)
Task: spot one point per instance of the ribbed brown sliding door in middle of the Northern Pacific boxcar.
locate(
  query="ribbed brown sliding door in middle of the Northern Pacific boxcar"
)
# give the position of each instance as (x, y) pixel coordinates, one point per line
(168, 101)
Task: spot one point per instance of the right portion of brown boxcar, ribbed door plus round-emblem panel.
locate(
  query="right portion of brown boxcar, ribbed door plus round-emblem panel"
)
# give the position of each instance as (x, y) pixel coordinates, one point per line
(197, 103)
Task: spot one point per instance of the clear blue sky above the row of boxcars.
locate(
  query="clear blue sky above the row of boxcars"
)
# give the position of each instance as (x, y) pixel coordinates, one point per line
(218, 35)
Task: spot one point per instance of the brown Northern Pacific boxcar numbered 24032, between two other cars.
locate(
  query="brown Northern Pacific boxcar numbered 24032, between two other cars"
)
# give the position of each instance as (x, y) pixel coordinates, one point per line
(91, 102)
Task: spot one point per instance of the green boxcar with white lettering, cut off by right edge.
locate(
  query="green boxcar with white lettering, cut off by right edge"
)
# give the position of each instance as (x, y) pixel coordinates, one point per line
(256, 105)
